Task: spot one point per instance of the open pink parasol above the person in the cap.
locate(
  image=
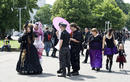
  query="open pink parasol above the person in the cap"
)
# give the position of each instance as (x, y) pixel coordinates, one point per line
(58, 20)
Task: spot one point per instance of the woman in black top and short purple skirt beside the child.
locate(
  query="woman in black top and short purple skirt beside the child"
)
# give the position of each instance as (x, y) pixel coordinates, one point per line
(109, 48)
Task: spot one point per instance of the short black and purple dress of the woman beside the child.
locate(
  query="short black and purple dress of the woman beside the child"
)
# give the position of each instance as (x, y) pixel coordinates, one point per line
(110, 48)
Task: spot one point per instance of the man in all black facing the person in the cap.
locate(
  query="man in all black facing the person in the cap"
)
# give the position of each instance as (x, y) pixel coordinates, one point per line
(76, 44)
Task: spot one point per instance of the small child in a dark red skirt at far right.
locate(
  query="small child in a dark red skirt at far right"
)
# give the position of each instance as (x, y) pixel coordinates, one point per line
(121, 57)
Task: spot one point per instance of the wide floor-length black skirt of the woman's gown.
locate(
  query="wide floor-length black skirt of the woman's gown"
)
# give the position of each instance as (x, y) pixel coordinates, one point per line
(28, 62)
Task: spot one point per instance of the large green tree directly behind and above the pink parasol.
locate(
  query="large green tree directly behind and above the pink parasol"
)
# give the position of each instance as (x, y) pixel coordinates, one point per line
(77, 11)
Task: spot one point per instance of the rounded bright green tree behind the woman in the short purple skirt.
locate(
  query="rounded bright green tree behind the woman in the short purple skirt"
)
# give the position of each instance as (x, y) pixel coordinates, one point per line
(109, 11)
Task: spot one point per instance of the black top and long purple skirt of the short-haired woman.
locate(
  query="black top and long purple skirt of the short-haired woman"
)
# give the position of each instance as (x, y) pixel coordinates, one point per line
(95, 45)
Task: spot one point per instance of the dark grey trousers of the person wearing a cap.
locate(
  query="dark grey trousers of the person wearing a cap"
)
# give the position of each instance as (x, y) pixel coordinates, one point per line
(64, 58)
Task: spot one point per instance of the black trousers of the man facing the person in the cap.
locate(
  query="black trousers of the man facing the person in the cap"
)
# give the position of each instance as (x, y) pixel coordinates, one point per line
(75, 58)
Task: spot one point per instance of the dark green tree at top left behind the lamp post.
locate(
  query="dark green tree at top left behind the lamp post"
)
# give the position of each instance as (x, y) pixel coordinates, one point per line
(9, 13)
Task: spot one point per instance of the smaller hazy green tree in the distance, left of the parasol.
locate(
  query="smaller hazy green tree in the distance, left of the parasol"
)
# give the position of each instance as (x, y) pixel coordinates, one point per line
(44, 14)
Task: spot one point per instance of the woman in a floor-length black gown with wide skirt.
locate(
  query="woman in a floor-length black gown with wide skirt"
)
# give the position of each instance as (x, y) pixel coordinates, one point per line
(28, 62)
